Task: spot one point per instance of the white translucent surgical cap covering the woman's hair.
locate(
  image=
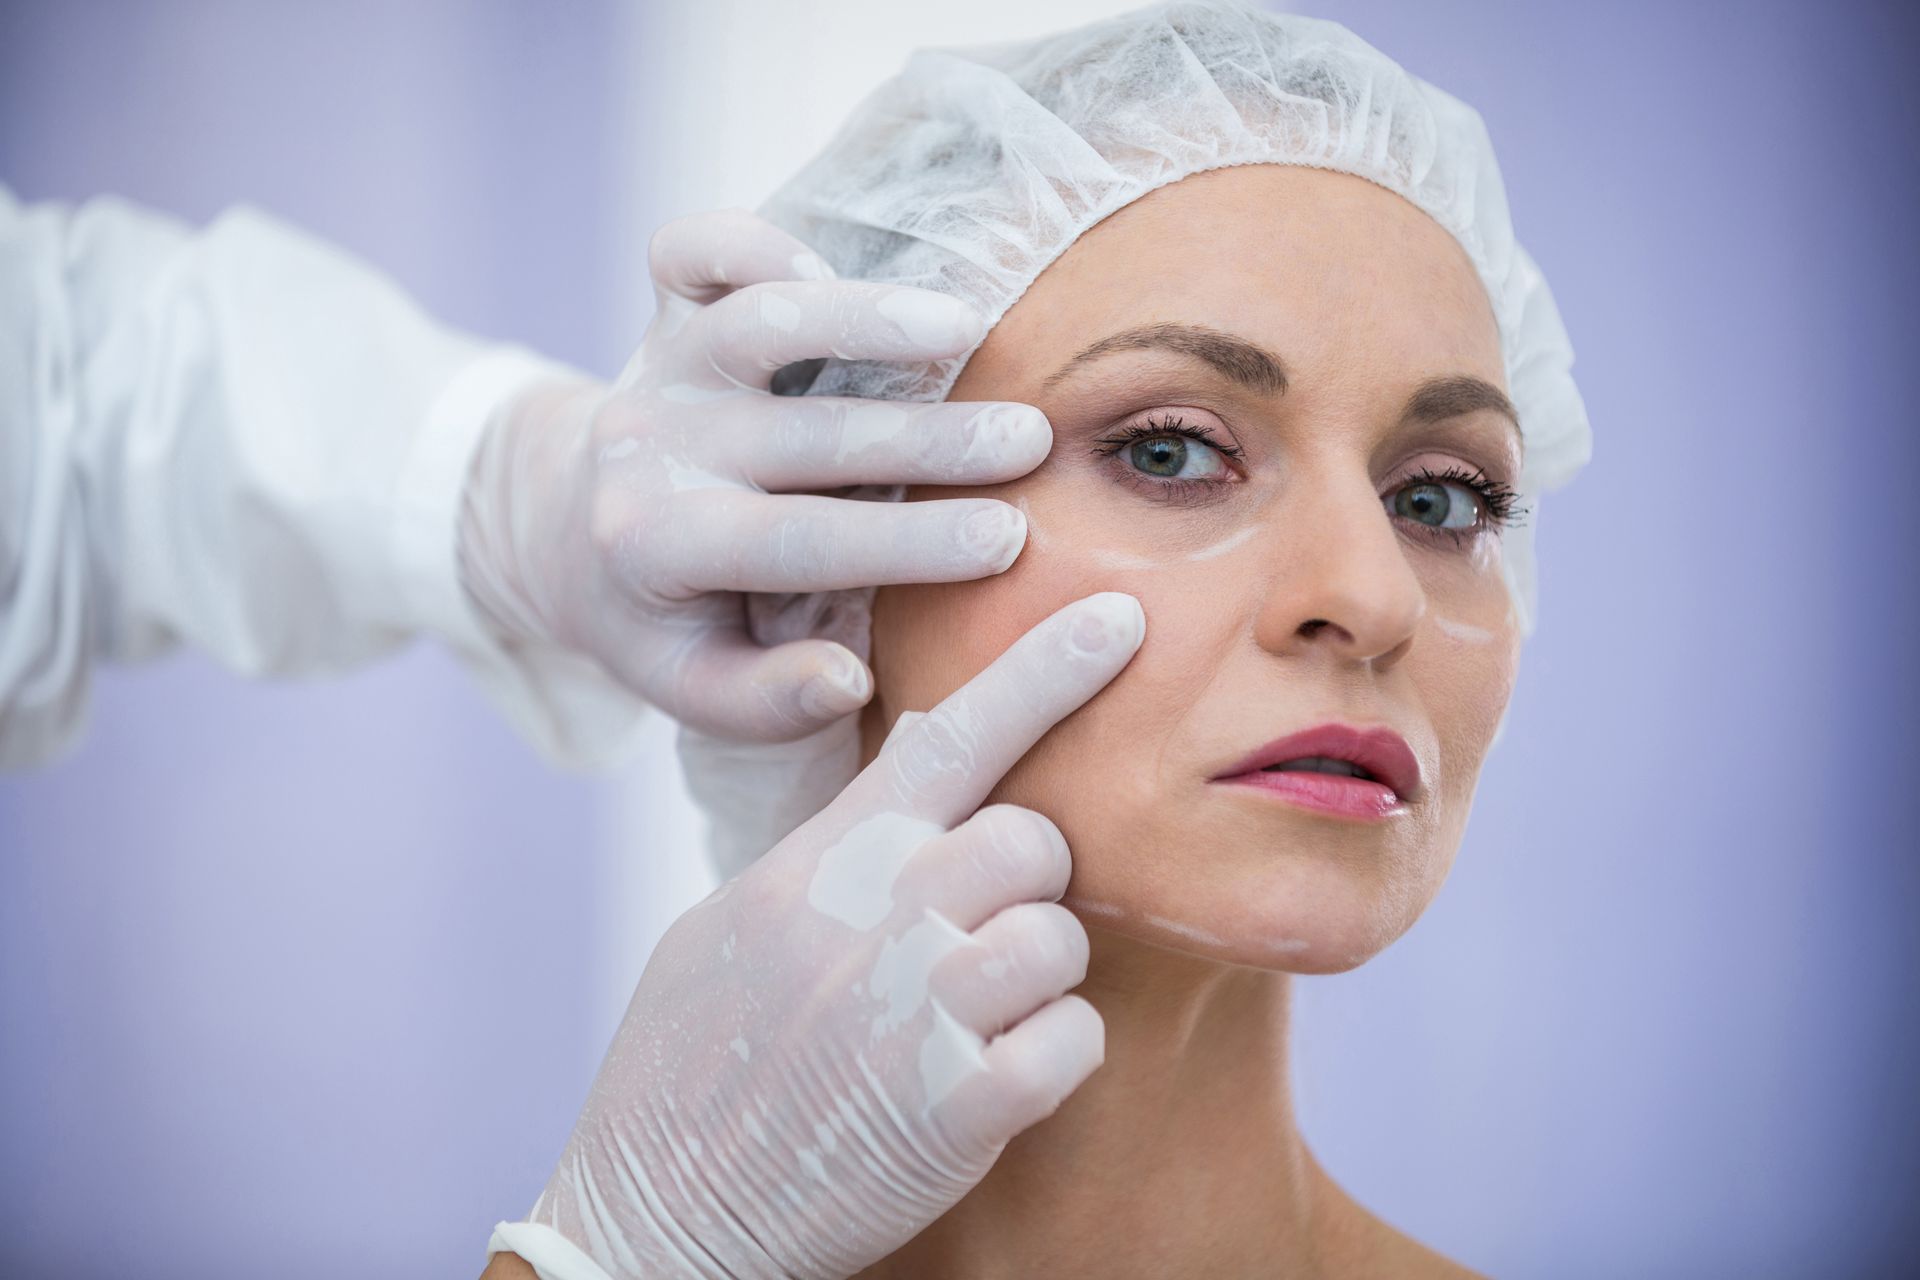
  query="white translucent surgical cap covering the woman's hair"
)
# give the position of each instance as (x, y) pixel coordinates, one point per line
(972, 170)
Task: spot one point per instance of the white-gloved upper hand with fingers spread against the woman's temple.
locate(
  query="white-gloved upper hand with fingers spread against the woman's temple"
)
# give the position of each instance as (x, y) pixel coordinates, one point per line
(625, 523)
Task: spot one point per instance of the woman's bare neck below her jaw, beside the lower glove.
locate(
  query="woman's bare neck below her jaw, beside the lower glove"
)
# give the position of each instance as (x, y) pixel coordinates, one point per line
(1180, 1156)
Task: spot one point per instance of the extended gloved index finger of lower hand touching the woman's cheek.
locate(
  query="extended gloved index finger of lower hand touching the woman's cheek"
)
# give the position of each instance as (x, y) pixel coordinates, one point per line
(946, 765)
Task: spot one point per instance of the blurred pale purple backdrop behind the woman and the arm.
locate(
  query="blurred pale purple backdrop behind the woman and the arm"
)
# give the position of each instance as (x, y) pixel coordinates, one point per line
(299, 980)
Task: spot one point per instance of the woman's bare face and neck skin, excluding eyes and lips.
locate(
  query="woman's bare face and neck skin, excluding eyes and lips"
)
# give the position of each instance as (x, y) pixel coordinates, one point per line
(1203, 899)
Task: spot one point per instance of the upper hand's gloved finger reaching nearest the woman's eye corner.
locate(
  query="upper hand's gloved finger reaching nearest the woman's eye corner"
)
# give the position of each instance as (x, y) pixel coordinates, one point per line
(821, 442)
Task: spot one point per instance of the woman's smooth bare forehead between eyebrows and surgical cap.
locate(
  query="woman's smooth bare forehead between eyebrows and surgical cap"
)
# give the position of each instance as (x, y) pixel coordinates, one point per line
(1337, 275)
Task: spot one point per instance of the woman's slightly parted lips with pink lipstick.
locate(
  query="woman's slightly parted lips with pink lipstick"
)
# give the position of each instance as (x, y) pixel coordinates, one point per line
(1364, 774)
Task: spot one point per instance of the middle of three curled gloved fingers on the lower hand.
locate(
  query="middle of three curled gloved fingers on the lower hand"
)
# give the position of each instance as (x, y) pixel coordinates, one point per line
(1026, 957)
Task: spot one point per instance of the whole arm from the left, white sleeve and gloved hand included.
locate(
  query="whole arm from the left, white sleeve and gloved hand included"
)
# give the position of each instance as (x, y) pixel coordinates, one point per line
(247, 442)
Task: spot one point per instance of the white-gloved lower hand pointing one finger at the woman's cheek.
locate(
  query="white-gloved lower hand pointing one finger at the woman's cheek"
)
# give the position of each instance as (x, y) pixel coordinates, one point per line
(834, 1049)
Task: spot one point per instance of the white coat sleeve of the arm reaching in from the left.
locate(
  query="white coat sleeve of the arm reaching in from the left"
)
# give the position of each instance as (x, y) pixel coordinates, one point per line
(252, 444)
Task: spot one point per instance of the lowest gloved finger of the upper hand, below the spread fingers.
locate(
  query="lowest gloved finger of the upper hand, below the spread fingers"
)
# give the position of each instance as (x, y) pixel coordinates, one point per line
(729, 686)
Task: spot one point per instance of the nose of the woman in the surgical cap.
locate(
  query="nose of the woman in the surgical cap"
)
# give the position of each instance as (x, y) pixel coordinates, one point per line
(1341, 582)
